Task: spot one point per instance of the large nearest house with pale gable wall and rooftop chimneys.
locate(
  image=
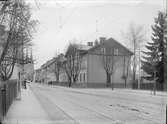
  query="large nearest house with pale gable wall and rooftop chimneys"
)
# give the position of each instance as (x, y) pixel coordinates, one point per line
(92, 72)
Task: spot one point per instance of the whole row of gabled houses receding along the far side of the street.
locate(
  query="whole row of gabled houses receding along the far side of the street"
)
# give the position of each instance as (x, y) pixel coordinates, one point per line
(96, 59)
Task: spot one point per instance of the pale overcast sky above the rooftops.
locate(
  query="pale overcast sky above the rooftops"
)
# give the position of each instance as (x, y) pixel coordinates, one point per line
(82, 21)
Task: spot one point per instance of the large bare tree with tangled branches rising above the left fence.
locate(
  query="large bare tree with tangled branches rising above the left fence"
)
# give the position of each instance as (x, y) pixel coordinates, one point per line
(16, 17)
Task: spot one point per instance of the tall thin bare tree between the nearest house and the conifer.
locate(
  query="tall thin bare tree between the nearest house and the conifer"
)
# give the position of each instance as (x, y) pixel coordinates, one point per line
(136, 36)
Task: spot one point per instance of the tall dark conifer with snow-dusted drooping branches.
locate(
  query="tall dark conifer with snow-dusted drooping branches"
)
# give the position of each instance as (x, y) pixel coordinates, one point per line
(153, 61)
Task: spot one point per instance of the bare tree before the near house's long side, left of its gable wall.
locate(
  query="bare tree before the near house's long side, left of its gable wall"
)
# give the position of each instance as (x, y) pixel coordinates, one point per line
(72, 64)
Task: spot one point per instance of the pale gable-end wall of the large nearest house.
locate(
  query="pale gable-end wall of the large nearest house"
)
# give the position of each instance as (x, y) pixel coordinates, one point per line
(96, 73)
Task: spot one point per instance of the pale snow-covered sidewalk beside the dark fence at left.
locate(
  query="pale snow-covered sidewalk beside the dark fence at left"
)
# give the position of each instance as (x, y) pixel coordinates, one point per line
(26, 111)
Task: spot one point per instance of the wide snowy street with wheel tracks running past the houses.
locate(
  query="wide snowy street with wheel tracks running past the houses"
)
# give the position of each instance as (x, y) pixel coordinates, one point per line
(99, 106)
